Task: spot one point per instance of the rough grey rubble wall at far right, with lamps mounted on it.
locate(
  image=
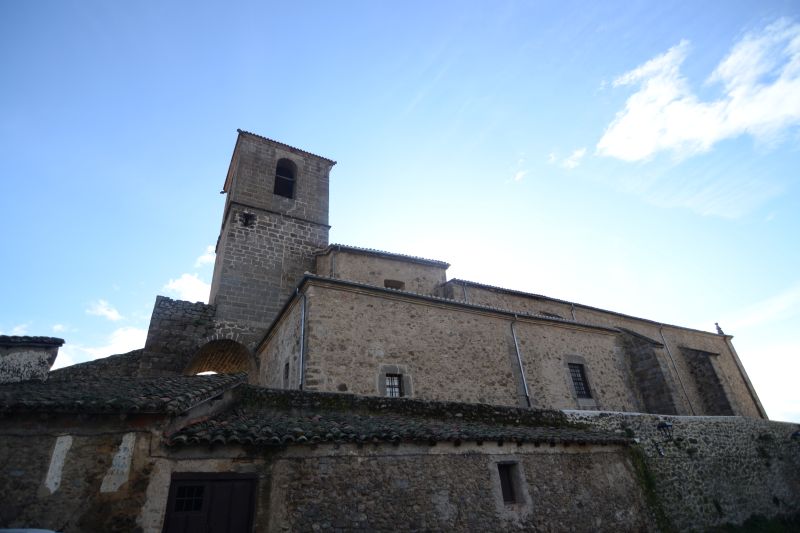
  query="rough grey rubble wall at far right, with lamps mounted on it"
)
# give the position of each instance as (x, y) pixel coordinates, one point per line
(715, 470)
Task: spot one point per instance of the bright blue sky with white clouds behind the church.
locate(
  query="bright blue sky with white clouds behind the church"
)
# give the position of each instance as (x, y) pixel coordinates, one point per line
(641, 157)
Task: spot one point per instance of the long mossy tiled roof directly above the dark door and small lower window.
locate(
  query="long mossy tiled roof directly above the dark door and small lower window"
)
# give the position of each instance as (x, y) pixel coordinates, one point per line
(266, 417)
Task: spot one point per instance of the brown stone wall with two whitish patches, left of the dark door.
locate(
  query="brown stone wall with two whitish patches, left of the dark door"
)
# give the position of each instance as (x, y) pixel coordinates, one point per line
(72, 480)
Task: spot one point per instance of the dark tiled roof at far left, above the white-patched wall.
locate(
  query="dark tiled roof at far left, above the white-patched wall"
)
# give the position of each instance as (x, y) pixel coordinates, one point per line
(167, 395)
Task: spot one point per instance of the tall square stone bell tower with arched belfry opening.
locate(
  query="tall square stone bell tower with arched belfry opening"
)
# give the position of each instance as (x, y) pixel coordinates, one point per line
(276, 216)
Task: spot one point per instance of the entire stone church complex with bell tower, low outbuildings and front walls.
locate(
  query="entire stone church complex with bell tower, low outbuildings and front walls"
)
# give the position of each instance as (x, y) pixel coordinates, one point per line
(363, 390)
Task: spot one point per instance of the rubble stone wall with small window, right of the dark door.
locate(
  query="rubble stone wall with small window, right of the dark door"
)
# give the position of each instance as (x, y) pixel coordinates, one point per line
(379, 490)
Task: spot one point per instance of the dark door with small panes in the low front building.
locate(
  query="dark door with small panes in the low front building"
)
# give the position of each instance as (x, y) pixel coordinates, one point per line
(210, 503)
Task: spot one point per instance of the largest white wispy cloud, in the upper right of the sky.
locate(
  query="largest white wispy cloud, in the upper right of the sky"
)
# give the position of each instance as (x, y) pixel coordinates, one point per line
(760, 78)
